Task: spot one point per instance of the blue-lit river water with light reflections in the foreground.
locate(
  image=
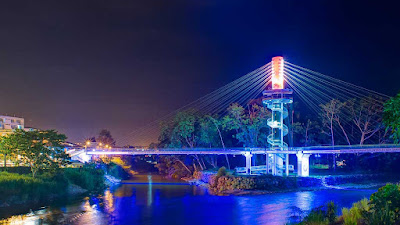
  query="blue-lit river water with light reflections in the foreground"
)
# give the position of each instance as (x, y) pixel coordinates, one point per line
(149, 199)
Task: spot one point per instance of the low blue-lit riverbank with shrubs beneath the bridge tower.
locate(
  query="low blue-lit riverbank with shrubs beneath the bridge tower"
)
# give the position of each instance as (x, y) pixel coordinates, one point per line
(222, 183)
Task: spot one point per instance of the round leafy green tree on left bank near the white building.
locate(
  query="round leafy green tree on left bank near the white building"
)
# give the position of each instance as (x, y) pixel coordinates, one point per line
(40, 149)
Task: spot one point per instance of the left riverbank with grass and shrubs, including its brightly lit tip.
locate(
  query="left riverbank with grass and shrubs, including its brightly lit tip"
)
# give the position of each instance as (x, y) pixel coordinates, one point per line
(21, 192)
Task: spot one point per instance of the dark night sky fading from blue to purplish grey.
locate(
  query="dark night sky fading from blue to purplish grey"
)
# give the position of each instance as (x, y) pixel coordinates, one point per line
(80, 66)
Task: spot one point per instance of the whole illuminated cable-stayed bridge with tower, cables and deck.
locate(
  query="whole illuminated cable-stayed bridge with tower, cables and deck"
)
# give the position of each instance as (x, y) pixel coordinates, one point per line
(275, 82)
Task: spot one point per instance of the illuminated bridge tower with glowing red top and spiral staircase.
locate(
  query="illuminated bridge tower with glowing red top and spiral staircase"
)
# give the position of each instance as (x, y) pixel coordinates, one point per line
(277, 100)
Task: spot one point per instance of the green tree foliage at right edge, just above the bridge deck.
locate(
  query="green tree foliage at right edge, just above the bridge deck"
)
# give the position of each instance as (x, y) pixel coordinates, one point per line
(391, 117)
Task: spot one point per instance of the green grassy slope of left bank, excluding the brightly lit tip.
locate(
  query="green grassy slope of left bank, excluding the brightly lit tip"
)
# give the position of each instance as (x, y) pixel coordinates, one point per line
(20, 188)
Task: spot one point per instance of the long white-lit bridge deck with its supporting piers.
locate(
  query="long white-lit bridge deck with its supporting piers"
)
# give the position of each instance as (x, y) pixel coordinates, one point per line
(302, 153)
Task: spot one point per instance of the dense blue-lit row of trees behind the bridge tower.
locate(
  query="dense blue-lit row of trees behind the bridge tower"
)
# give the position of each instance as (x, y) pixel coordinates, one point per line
(359, 121)
